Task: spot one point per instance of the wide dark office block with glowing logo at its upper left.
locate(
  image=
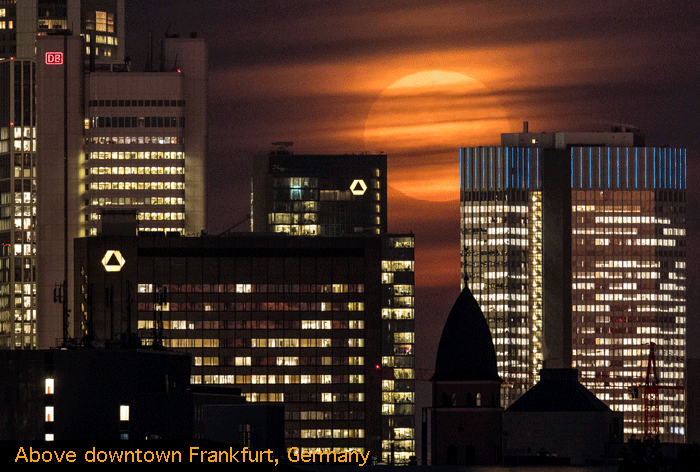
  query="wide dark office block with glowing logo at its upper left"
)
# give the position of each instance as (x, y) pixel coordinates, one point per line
(294, 321)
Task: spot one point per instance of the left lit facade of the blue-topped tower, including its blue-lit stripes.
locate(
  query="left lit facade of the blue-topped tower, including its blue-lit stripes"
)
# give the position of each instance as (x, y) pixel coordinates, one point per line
(501, 225)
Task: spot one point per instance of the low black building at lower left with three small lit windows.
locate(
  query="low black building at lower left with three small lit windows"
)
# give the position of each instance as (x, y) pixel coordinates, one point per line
(120, 393)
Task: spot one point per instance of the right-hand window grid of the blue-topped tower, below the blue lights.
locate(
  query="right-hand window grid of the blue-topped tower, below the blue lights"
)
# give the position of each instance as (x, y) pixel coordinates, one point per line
(629, 291)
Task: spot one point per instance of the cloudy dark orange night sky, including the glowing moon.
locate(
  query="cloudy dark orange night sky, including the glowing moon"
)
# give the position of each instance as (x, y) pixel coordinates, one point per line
(419, 79)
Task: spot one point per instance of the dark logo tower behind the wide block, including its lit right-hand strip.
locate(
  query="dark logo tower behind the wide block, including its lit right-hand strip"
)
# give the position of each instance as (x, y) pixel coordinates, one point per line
(342, 196)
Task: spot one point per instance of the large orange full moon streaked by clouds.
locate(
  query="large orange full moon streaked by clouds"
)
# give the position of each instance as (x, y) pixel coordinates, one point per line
(421, 120)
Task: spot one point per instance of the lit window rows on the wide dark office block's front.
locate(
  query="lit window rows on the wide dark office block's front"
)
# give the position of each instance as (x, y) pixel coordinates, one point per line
(301, 344)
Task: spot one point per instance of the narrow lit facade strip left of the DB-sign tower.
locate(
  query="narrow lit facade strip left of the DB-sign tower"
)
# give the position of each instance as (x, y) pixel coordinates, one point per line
(17, 205)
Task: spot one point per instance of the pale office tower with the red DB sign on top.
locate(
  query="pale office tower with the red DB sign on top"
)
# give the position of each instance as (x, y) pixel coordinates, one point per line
(113, 140)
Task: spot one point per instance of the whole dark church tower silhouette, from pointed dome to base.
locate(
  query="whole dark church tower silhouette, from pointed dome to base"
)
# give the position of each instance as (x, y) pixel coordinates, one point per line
(466, 413)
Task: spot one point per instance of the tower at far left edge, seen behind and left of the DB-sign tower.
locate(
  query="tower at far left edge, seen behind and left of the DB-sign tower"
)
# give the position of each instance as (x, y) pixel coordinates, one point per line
(100, 23)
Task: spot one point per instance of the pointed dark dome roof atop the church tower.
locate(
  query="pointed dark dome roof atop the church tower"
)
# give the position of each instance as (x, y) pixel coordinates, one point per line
(466, 351)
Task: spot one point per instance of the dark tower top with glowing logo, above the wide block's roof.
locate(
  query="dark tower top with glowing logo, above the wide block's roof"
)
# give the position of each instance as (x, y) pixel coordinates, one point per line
(319, 195)
